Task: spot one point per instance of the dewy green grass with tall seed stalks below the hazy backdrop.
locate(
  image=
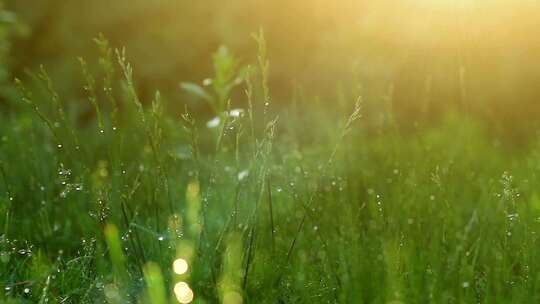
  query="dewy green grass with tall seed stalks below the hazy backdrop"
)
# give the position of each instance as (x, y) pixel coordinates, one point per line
(306, 203)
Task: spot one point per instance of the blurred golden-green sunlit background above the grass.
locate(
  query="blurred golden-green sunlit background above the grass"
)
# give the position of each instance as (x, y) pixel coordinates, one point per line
(421, 58)
